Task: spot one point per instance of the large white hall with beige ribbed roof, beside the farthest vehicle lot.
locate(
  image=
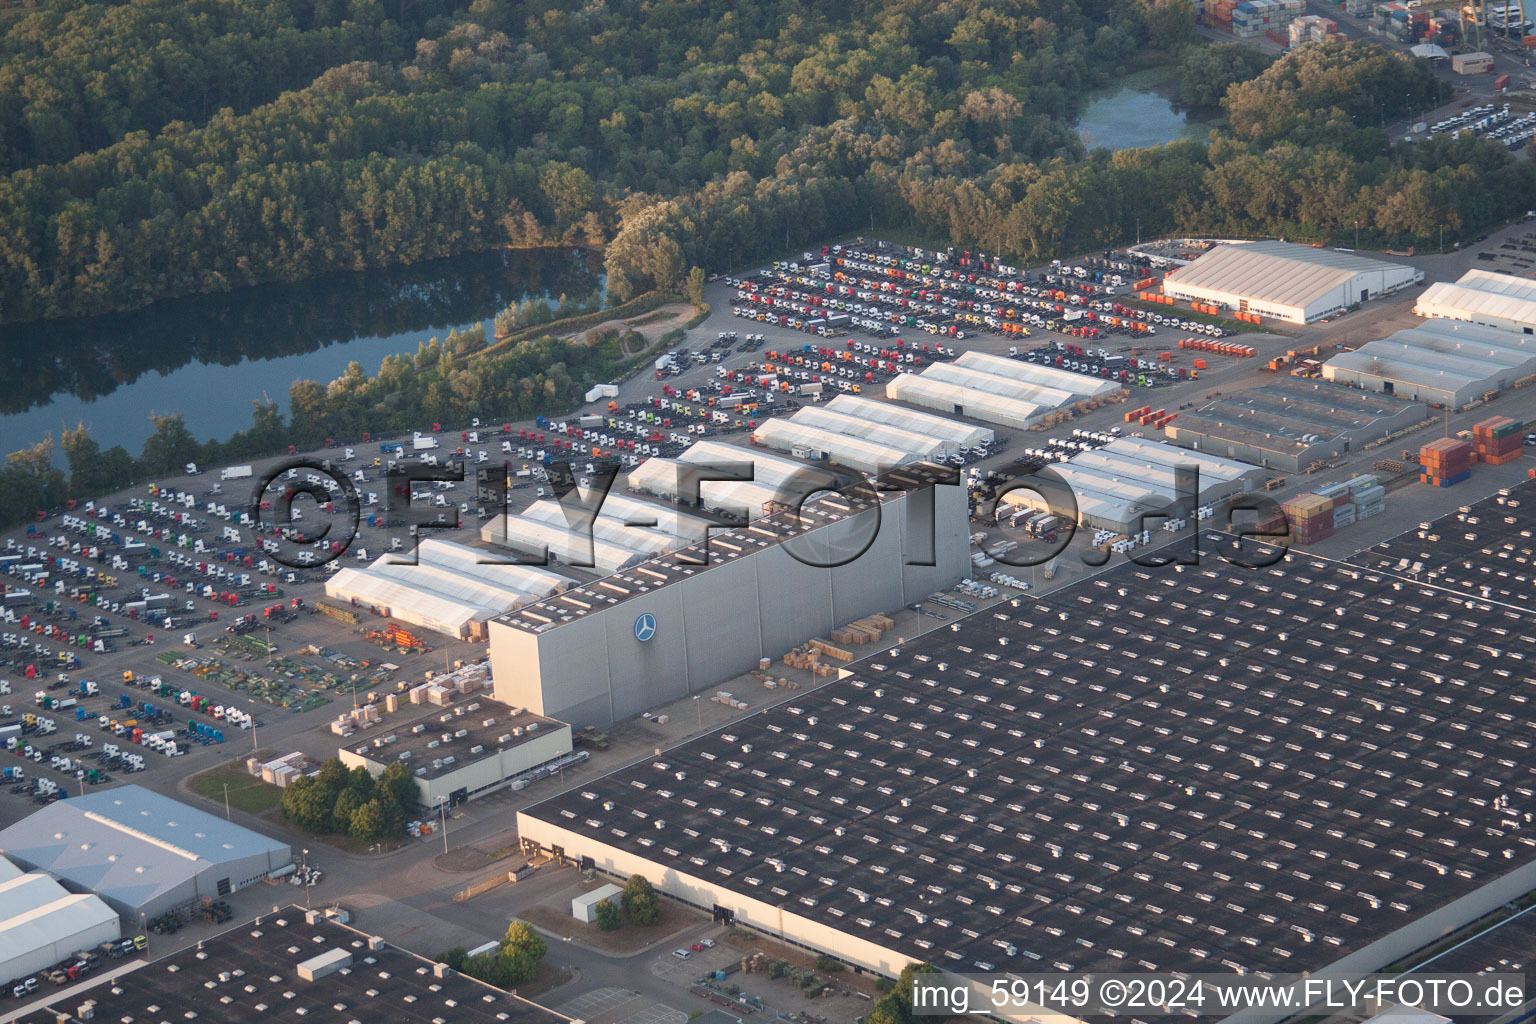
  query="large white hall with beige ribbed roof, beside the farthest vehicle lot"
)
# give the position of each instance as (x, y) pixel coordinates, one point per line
(1286, 282)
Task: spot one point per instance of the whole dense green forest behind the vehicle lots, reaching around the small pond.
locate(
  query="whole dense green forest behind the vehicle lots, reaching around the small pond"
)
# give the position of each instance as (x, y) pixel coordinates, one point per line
(165, 148)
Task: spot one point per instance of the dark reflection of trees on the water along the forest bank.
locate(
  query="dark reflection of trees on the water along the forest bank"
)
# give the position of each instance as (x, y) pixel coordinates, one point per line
(98, 355)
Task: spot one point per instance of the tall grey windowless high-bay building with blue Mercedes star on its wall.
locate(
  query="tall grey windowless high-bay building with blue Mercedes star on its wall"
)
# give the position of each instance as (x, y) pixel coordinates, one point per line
(677, 626)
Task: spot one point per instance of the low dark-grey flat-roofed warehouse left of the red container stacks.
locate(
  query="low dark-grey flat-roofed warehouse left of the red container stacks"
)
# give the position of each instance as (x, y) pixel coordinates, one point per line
(1293, 423)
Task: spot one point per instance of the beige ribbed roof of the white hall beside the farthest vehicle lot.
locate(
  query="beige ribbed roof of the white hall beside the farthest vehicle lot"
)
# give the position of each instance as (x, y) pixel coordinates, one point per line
(1279, 273)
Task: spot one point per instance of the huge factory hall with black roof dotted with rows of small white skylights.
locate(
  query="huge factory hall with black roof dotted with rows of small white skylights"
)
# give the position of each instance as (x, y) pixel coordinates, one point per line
(1147, 825)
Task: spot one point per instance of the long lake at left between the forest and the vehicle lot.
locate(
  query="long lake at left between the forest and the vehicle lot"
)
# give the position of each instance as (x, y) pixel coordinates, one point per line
(211, 357)
